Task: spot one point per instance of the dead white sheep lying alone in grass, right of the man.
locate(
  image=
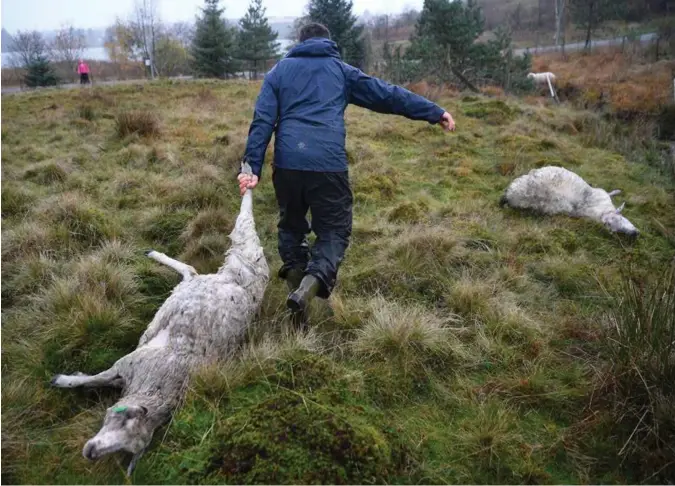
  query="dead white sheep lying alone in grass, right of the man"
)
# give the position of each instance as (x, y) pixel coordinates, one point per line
(555, 190)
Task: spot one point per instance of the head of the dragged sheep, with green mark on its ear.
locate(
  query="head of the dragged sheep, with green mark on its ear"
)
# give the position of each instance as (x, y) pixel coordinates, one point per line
(125, 428)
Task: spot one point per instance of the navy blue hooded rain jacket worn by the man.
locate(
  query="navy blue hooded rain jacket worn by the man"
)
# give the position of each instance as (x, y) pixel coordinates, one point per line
(303, 98)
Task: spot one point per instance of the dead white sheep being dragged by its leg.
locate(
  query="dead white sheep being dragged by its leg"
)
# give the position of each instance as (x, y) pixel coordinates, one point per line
(202, 321)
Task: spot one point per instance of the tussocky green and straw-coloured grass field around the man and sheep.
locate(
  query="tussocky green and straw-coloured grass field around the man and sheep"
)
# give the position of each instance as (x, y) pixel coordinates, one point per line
(464, 344)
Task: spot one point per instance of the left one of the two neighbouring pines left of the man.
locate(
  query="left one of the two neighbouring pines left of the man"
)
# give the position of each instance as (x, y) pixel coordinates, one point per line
(213, 43)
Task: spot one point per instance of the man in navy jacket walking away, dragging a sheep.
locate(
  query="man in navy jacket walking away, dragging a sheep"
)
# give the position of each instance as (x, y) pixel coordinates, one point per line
(303, 99)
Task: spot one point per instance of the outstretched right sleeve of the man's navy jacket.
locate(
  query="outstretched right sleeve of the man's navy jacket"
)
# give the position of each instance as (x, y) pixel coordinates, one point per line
(377, 95)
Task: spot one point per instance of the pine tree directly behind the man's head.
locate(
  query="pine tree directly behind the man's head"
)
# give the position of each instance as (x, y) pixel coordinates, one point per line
(338, 17)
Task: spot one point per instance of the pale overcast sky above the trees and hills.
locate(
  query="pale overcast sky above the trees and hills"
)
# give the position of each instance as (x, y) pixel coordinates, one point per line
(50, 14)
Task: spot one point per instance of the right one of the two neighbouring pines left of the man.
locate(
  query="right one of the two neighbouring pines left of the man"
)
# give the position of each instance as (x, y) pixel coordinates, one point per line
(256, 40)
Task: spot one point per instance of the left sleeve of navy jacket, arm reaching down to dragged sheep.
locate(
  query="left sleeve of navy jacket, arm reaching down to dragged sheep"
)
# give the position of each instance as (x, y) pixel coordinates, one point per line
(264, 120)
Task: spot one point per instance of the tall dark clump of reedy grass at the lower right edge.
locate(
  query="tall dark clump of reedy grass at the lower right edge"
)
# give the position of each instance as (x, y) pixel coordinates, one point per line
(640, 381)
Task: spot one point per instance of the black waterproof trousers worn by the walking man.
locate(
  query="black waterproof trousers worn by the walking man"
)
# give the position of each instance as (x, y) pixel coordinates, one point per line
(328, 197)
